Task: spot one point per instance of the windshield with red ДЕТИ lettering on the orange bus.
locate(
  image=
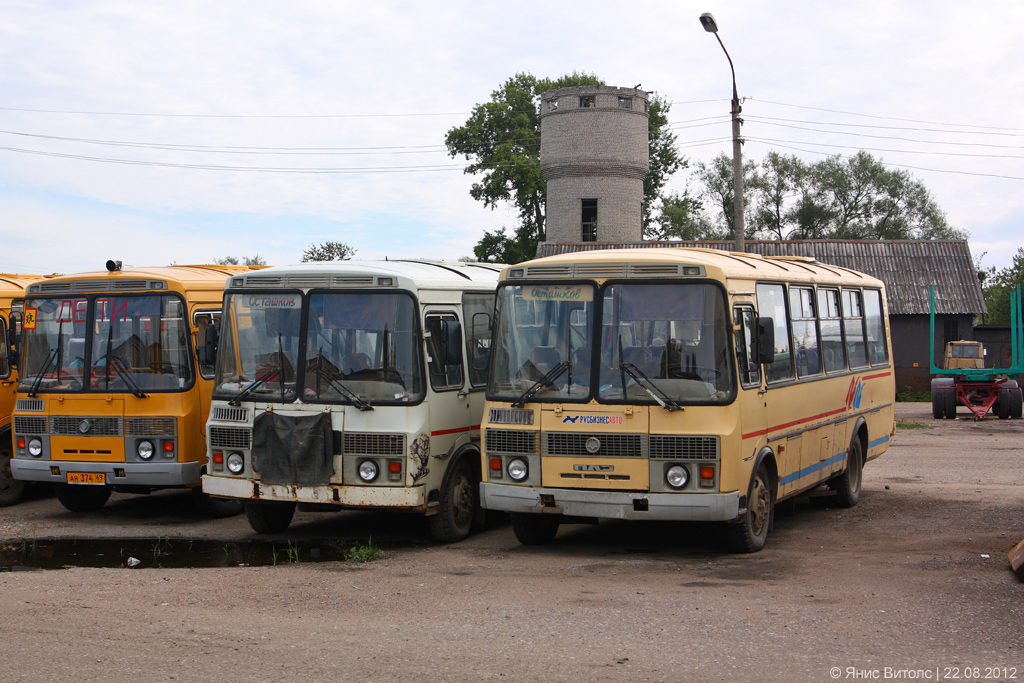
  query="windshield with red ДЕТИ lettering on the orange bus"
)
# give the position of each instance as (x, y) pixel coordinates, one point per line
(125, 344)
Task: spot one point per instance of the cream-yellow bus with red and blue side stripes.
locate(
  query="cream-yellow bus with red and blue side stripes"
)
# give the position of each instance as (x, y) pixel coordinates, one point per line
(681, 385)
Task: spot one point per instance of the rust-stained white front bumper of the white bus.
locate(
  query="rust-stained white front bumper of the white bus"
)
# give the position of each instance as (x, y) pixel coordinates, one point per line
(406, 498)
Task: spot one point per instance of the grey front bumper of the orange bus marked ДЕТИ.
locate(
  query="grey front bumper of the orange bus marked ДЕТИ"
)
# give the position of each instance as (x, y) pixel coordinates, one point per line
(158, 476)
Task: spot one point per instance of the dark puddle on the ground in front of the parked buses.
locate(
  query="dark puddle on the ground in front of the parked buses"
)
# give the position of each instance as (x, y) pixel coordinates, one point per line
(31, 554)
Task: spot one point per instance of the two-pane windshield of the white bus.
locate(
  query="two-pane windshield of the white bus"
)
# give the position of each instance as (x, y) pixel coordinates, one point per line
(360, 348)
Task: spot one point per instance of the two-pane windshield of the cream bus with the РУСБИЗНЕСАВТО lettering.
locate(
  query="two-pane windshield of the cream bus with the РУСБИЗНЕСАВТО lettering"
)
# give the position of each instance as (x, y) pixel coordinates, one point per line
(658, 344)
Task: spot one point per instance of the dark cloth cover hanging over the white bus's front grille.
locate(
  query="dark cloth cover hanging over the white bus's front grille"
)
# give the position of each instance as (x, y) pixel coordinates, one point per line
(293, 450)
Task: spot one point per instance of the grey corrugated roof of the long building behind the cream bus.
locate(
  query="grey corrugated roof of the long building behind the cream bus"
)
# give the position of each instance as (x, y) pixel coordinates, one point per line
(909, 268)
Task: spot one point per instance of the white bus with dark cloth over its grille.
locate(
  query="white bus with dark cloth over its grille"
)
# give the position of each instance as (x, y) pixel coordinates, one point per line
(353, 386)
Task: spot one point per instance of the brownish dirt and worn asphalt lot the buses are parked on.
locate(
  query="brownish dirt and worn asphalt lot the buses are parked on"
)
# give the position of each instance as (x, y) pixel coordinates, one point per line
(915, 579)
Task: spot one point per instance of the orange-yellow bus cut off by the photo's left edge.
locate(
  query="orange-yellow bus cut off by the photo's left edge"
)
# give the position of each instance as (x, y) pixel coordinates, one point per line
(12, 295)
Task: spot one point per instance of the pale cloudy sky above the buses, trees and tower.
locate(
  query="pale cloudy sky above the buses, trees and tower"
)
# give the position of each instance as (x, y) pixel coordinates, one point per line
(156, 134)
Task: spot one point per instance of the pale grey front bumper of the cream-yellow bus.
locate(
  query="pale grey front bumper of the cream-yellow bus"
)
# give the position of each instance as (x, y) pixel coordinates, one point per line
(612, 505)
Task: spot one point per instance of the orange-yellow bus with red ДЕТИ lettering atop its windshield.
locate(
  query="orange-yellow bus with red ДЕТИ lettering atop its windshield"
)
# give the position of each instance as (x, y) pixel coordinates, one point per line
(115, 389)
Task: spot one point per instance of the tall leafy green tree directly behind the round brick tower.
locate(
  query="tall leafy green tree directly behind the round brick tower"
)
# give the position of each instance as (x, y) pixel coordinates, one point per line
(502, 142)
